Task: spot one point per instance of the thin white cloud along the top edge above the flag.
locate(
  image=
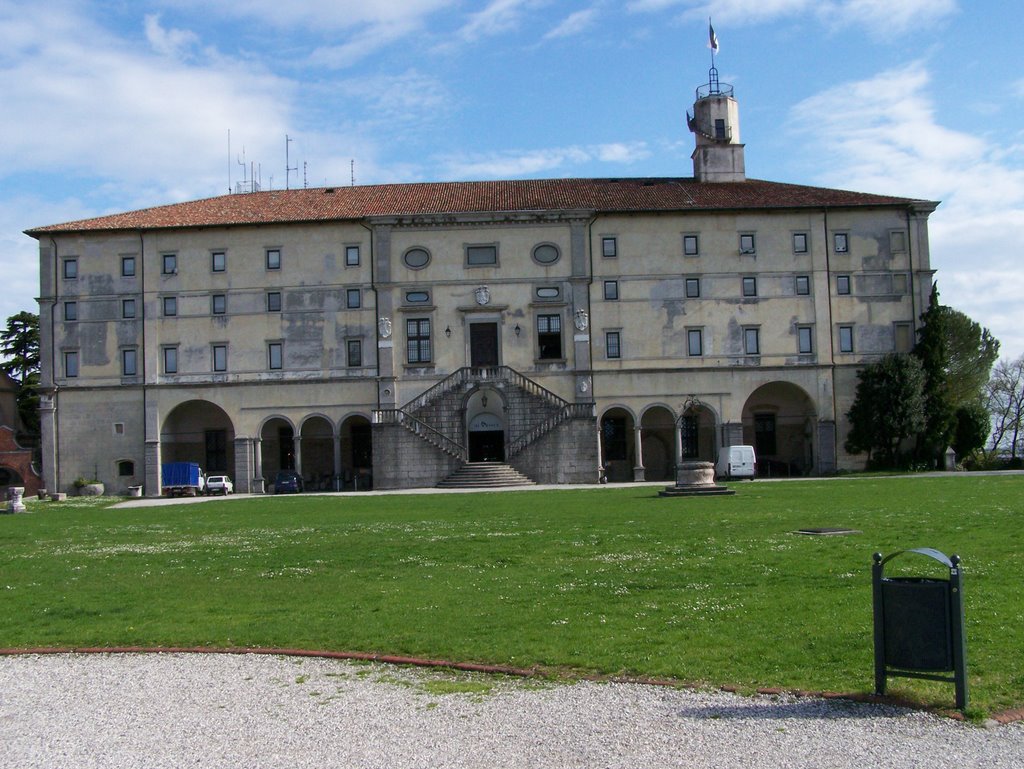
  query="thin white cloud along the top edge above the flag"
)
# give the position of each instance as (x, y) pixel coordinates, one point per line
(883, 18)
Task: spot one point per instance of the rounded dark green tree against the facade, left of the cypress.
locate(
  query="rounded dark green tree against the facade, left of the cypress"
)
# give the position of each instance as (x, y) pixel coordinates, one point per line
(888, 409)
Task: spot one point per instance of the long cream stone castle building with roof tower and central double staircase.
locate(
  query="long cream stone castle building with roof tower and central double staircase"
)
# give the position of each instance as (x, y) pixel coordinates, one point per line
(395, 335)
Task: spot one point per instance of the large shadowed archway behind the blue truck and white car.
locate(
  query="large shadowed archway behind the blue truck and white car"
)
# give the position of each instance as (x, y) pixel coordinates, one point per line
(199, 432)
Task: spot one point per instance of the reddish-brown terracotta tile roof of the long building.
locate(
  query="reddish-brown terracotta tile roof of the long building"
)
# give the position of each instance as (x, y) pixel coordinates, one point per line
(603, 196)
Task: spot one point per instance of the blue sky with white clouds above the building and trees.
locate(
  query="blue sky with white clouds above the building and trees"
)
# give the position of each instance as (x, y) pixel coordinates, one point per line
(117, 105)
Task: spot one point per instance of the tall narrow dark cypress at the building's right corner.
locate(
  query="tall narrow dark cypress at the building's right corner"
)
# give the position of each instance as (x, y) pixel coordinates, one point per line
(933, 352)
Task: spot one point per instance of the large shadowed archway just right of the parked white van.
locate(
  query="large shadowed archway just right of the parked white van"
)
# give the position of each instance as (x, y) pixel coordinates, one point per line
(780, 421)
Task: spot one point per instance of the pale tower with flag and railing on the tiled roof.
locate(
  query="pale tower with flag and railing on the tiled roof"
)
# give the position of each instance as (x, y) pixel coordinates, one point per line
(715, 123)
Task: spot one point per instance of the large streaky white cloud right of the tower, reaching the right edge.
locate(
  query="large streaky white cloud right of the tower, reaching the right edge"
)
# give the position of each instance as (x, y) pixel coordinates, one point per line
(882, 136)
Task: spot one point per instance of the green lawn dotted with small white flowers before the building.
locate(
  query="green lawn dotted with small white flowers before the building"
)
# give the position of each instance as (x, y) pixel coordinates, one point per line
(615, 581)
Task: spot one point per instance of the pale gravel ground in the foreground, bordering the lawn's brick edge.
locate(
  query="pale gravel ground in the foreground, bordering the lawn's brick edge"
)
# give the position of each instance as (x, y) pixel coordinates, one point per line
(254, 711)
